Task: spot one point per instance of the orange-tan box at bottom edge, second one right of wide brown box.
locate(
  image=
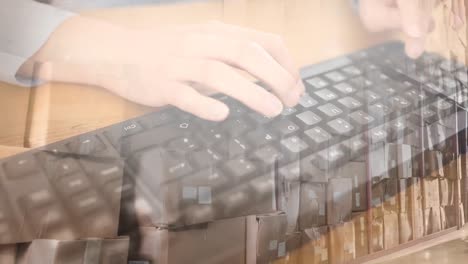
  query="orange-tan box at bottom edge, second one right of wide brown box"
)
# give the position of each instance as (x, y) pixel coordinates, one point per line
(342, 243)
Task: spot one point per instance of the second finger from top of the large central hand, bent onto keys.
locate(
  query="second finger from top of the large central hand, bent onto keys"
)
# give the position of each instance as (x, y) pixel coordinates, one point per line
(250, 57)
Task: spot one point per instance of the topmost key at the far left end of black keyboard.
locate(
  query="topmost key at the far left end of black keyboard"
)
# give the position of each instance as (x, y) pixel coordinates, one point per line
(20, 167)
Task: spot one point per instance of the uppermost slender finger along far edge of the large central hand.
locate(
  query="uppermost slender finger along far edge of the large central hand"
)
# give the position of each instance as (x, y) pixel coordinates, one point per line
(272, 43)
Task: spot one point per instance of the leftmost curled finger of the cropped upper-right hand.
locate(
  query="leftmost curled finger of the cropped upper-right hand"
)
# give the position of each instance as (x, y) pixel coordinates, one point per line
(379, 16)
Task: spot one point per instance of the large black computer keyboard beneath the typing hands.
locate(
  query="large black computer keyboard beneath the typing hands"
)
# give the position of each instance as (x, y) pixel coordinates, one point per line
(186, 170)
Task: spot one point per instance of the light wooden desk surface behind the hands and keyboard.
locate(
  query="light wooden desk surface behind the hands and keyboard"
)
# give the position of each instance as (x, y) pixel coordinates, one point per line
(313, 30)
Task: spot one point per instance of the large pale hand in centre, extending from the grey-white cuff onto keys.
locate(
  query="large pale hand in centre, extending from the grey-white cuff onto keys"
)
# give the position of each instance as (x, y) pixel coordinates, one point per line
(176, 65)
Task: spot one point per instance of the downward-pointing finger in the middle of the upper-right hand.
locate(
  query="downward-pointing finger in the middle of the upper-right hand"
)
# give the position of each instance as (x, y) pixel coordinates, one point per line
(416, 16)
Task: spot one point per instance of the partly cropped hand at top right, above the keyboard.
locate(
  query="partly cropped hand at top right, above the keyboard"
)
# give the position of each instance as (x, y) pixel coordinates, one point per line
(413, 17)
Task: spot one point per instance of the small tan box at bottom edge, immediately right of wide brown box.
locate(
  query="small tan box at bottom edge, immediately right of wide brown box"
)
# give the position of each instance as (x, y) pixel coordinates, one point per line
(315, 245)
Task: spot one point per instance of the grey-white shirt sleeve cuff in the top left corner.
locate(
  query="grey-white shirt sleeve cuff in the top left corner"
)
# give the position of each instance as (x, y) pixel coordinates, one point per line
(25, 25)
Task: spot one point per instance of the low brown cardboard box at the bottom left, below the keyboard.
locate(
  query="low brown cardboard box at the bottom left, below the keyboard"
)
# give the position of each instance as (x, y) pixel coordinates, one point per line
(89, 251)
